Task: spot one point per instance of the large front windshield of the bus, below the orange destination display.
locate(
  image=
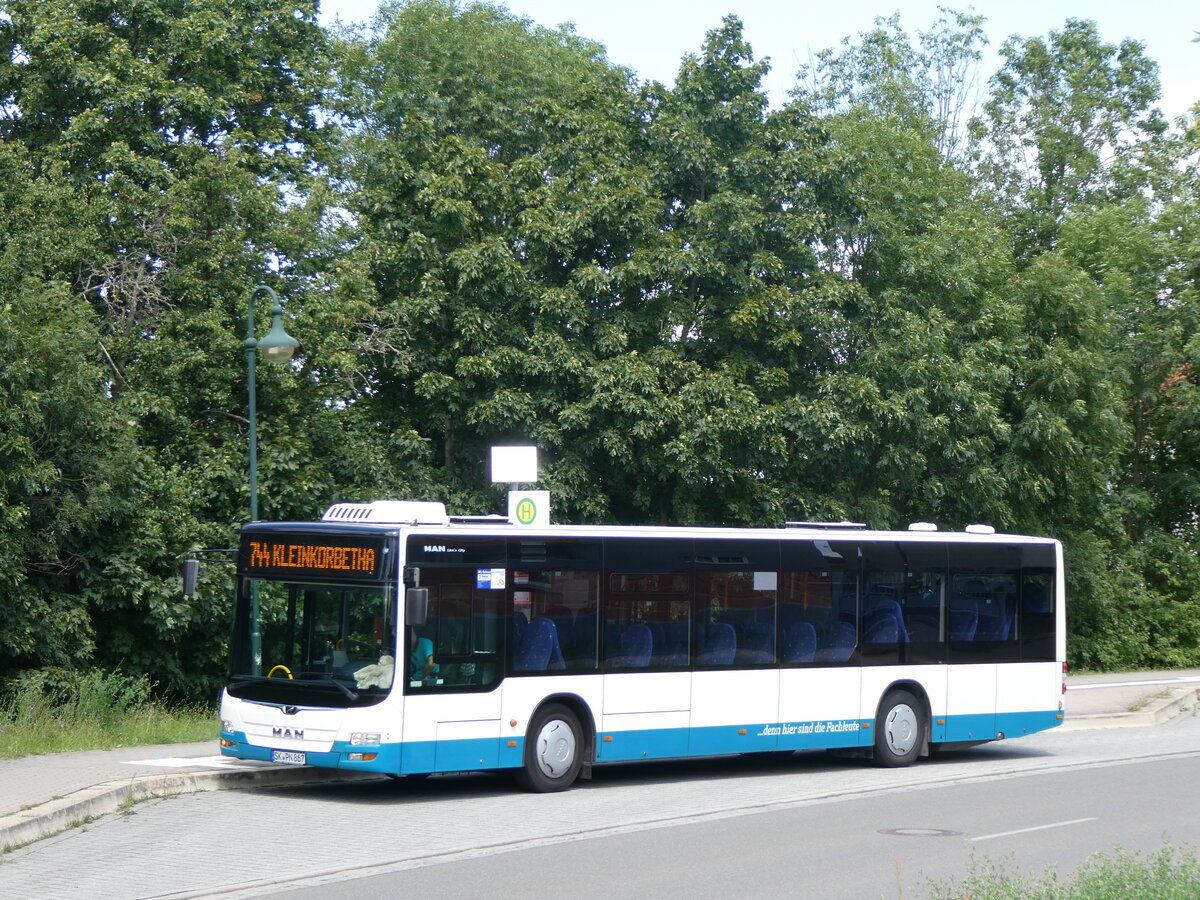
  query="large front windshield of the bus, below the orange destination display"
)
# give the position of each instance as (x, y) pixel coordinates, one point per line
(314, 645)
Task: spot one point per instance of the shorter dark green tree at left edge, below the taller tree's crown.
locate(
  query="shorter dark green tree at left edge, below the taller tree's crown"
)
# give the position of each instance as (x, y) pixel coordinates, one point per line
(67, 469)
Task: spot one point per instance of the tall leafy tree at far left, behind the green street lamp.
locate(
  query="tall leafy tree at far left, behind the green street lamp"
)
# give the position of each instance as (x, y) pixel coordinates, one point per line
(159, 152)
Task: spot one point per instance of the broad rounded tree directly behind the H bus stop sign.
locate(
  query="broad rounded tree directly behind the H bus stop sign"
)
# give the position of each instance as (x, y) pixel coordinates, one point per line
(502, 217)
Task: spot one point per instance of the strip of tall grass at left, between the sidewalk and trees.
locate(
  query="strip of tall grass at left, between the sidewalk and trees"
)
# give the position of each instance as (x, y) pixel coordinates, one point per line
(94, 711)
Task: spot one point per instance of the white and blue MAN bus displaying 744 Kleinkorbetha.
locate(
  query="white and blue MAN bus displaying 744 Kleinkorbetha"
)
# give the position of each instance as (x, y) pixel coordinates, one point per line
(392, 638)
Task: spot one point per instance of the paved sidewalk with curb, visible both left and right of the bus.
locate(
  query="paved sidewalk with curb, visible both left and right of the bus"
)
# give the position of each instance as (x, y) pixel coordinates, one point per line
(41, 796)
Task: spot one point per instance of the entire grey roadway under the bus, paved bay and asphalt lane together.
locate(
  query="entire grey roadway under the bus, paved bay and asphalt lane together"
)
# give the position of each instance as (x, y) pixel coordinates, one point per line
(806, 824)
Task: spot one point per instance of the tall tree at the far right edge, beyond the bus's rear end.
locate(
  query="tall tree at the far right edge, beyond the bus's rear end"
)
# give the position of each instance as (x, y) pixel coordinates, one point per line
(1090, 185)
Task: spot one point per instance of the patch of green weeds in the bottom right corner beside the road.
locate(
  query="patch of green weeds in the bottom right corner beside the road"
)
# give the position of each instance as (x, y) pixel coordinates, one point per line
(1169, 874)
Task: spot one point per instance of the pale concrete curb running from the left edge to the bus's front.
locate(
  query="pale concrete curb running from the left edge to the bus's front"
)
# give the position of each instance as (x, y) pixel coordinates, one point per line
(64, 813)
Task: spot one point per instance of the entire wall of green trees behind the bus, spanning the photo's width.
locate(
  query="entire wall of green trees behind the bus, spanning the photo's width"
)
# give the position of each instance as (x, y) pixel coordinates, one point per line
(700, 309)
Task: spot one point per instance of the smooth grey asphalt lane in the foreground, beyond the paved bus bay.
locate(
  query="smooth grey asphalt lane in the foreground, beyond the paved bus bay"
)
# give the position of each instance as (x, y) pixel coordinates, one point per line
(899, 844)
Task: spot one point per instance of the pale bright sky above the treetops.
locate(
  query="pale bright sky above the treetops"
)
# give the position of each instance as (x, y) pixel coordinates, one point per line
(651, 37)
